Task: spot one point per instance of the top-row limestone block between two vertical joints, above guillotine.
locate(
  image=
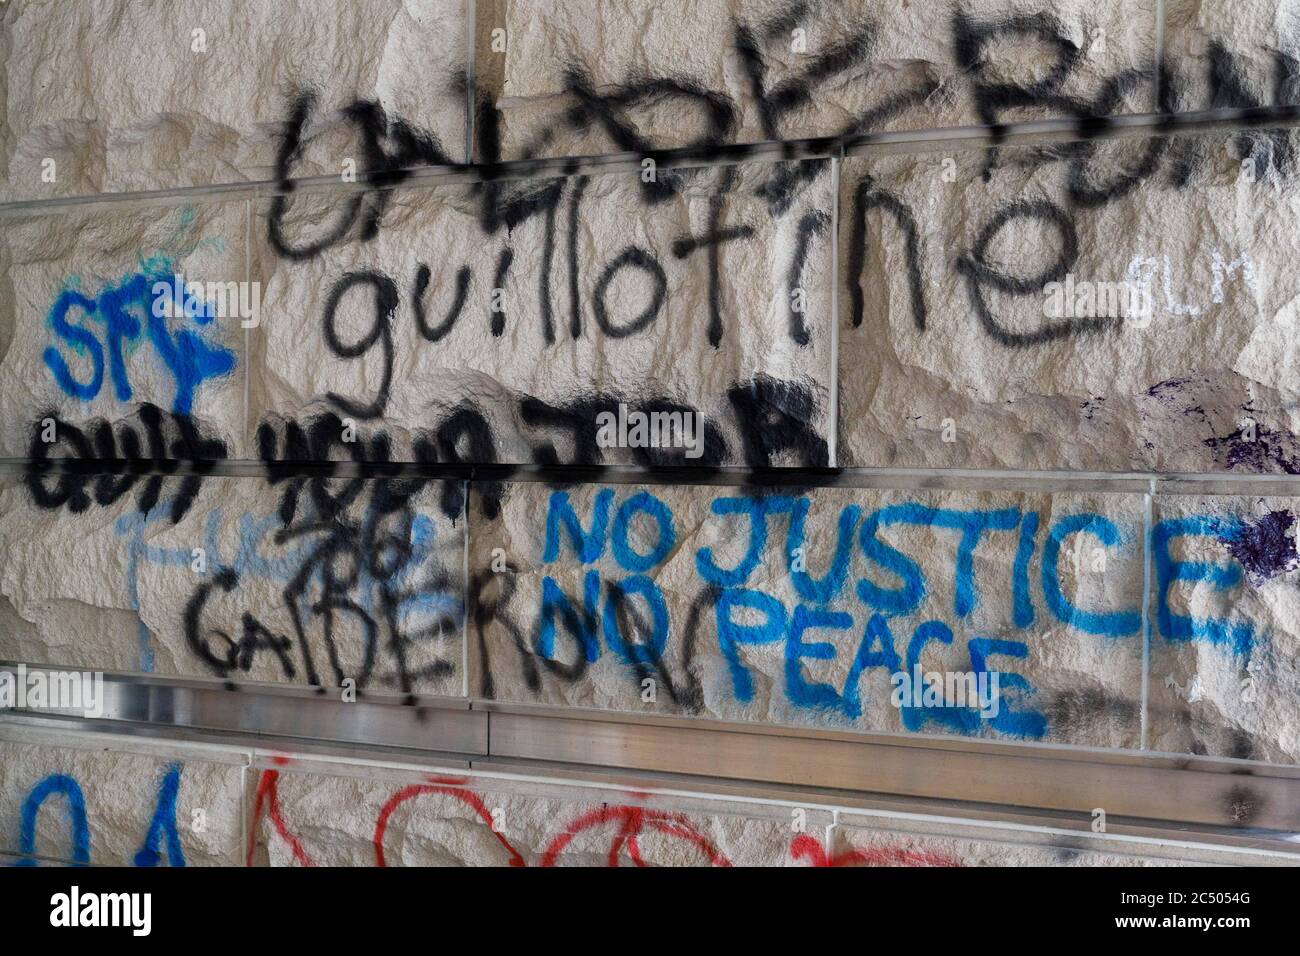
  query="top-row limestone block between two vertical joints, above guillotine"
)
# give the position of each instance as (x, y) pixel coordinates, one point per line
(577, 77)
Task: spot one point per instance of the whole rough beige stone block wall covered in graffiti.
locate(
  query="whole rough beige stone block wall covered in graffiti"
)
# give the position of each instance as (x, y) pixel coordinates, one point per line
(883, 309)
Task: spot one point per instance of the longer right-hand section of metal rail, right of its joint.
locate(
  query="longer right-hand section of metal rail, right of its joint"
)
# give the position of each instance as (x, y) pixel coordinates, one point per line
(1073, 786)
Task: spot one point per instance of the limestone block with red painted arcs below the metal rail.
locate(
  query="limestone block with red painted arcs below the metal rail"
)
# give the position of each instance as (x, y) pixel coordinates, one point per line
(367, 817)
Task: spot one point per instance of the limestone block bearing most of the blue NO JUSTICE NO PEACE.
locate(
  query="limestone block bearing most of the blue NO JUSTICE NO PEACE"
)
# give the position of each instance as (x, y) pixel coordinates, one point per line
(801, 609)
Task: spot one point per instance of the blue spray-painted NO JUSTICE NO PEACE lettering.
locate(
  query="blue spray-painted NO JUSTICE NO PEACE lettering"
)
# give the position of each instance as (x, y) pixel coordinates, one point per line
(811, 633)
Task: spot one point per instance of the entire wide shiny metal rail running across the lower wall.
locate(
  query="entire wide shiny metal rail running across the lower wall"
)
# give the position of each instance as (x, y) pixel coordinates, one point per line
(1230, 803)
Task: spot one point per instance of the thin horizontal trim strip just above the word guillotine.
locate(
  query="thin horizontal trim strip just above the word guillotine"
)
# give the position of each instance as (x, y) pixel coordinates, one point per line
(727, 154)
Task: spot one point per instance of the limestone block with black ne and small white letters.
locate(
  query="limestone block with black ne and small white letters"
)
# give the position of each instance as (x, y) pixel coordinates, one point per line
(957, 351)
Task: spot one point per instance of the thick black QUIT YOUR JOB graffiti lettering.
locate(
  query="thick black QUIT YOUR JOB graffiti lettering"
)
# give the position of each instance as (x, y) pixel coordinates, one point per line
(770, 423)
